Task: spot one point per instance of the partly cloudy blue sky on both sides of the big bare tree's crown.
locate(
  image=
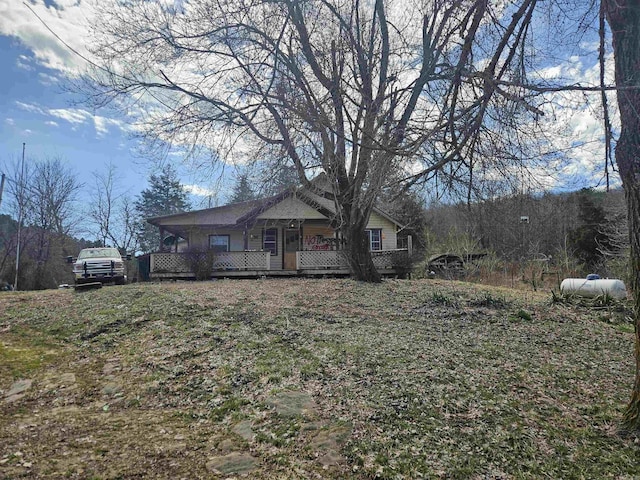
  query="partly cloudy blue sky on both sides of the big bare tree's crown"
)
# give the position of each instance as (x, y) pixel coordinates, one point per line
(36, 110)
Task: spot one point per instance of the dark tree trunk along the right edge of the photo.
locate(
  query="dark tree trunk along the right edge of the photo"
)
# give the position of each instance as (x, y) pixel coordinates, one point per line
(624, 20)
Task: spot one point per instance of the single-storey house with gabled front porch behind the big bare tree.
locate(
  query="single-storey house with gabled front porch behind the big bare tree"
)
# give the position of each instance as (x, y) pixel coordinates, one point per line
(293, 233)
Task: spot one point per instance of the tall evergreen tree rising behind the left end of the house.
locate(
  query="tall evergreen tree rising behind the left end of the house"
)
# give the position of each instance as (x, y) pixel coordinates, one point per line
(164, 196)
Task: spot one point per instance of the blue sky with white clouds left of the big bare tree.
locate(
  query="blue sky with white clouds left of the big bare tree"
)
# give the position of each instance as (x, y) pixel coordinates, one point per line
(39, 111)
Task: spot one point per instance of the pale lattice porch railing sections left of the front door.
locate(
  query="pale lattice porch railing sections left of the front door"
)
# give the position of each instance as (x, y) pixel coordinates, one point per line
(178, 262)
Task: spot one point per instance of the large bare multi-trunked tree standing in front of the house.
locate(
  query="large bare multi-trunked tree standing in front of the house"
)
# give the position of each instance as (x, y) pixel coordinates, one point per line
(354, 89)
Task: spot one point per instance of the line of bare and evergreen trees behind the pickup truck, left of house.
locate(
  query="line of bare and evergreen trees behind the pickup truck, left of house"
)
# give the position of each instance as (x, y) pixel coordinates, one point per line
(46, 222)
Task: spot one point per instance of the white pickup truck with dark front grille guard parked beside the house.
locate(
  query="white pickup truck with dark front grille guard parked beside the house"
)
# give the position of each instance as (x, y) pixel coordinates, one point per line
(102, 264)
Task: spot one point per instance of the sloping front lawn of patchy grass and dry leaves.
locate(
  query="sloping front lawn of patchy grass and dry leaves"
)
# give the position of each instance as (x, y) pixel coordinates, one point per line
(311, 379)
